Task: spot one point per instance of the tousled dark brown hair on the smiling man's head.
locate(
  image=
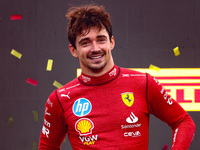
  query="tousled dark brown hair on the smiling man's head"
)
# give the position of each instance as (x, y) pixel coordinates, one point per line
(84, 17)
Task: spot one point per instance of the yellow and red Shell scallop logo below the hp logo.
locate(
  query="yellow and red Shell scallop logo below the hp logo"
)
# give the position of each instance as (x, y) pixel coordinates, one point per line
(84, 126)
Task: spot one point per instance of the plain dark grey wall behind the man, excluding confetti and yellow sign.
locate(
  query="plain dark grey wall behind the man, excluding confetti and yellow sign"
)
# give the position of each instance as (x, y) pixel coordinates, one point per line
(145, 33)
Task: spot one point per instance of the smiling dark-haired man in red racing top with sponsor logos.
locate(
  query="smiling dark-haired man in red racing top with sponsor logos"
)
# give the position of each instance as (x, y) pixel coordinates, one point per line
(107, 107)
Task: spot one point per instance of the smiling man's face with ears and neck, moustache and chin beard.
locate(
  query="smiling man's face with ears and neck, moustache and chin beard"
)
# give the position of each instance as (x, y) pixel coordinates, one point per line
(93, 48)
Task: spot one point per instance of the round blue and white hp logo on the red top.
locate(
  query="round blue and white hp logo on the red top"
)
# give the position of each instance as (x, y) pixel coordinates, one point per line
(82, 107)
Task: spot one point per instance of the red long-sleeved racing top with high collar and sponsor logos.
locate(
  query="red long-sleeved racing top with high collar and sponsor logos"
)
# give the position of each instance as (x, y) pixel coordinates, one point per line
(111, 112)
